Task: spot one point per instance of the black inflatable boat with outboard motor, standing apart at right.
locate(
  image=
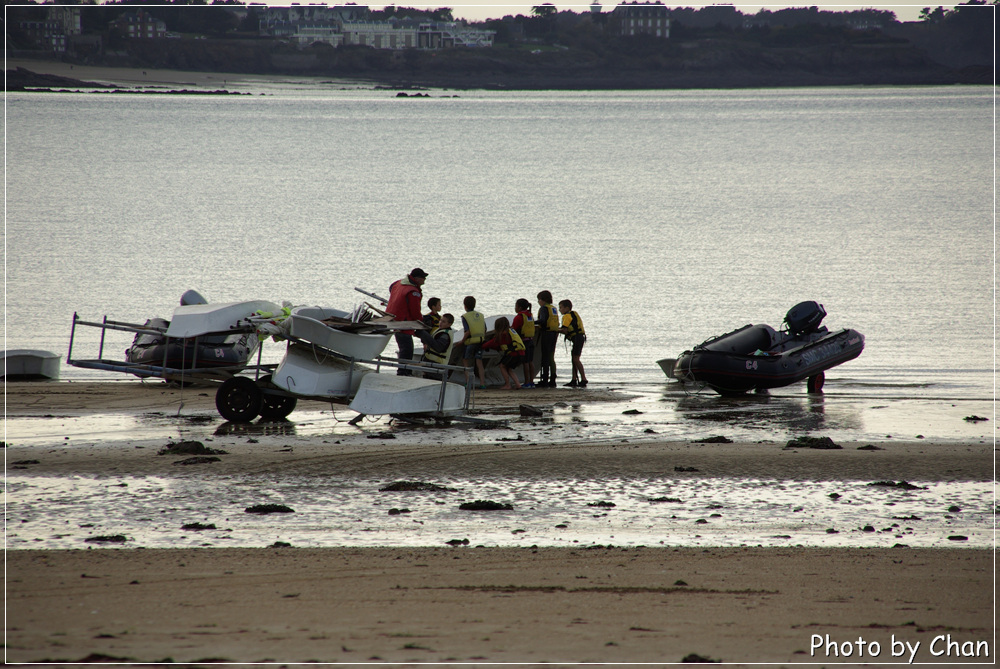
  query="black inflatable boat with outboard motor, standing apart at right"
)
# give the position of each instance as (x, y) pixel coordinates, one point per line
(757, 357)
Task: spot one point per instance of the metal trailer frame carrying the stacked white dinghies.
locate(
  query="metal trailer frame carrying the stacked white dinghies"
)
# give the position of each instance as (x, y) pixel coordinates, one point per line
(230, 376)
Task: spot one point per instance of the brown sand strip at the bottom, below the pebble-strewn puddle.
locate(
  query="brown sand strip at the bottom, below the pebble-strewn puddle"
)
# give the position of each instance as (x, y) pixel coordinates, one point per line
(495, 605)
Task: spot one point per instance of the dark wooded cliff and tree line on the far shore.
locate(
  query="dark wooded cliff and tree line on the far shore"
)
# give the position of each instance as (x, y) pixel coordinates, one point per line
(717, 44)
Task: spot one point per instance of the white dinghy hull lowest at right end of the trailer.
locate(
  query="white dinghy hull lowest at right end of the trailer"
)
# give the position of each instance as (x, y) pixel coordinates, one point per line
(387, 394)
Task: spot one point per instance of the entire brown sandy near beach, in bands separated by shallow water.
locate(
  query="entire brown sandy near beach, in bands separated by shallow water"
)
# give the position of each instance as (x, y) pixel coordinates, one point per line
(469, 603)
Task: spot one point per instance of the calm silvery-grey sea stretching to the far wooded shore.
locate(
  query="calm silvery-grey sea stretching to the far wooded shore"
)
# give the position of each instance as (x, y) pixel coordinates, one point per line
(666, 217)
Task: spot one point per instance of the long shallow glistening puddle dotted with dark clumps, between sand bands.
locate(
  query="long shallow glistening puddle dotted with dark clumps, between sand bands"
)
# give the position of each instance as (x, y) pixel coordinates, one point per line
(58, 512)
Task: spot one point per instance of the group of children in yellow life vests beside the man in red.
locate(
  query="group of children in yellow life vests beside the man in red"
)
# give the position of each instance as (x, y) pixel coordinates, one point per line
(516, 341)
